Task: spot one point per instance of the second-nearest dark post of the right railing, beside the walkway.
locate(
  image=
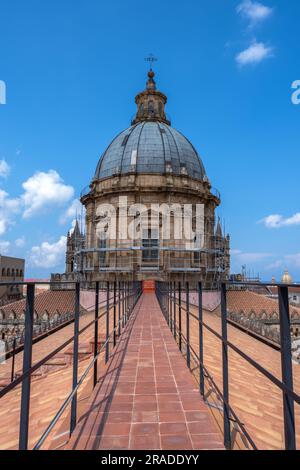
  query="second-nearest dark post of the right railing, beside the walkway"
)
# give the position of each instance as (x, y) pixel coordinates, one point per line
(226, 411)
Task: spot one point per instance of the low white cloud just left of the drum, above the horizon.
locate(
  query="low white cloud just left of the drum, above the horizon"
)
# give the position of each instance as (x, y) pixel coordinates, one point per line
(48, 255)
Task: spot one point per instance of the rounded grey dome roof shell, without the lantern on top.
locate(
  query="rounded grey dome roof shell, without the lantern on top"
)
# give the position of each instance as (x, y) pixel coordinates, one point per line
(150, 147)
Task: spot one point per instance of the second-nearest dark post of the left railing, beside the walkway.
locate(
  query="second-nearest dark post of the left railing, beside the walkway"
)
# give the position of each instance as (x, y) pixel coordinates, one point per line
(75, 358)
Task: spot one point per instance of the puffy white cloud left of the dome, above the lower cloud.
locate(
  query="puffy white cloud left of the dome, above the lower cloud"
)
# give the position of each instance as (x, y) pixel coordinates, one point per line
(43, 190)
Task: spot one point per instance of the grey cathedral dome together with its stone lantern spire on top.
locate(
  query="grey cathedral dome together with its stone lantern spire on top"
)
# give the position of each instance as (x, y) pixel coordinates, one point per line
(150, 145)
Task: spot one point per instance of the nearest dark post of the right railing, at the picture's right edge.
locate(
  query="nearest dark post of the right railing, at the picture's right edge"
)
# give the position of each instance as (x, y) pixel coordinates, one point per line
(286, 367)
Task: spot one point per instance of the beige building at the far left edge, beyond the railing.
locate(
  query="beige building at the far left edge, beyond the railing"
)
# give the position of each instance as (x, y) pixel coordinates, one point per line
(11, 270)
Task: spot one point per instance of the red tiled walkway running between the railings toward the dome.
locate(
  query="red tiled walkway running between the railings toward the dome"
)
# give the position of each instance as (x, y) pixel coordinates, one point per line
(147, 398)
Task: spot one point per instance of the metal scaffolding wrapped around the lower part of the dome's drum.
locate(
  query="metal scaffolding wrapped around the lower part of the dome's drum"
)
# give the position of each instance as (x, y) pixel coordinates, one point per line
(154, 257)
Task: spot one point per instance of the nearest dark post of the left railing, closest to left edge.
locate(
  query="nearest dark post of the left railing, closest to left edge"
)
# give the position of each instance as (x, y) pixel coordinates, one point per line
(27, 357)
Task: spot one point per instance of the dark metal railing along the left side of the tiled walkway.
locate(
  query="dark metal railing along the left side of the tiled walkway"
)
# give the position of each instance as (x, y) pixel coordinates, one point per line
(121, 298)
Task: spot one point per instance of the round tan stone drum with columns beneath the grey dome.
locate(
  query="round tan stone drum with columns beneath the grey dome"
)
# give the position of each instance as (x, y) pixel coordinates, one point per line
(126, 256)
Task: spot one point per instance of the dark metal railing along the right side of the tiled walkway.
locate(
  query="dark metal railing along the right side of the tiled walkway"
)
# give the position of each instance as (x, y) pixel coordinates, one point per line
(170, 297)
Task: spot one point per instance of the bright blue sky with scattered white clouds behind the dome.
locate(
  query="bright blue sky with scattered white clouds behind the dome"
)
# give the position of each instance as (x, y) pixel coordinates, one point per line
(72, 69)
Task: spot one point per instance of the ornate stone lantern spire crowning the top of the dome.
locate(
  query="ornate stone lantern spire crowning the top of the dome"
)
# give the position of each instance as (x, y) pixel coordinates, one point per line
(151, 103)
